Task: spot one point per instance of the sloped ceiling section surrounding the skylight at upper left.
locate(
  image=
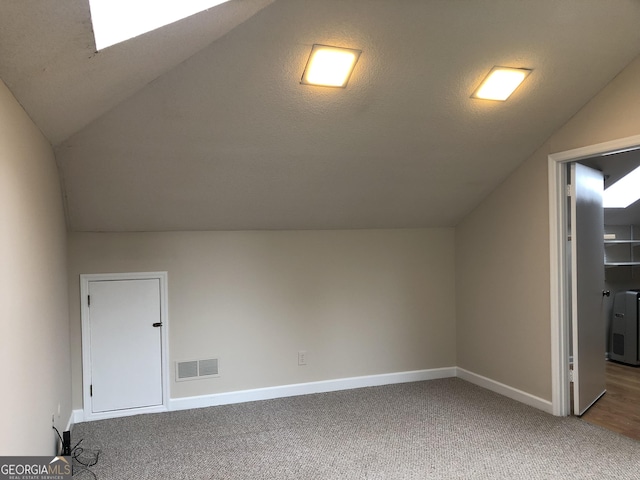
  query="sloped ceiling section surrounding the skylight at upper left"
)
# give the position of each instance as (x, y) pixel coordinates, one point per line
(48, 59)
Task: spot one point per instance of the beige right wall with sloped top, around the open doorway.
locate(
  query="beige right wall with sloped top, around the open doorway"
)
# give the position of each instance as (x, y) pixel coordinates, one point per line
(502, 251)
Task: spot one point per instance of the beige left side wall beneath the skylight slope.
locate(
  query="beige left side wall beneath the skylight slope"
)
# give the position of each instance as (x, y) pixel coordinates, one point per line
(34, 322)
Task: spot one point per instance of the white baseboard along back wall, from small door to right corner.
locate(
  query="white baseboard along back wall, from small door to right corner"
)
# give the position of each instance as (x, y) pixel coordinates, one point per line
(269, 393)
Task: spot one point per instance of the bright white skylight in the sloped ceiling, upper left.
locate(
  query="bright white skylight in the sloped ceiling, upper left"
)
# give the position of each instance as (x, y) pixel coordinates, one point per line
(115, 21)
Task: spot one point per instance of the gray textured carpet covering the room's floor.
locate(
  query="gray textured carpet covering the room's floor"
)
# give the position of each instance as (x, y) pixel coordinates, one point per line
(440, 429)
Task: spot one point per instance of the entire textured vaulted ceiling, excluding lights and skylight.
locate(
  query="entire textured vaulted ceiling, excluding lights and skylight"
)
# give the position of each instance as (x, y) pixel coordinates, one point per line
(203, 125)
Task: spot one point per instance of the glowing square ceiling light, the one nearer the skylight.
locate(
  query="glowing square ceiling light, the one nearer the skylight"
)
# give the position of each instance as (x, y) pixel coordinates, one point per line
(330, 66)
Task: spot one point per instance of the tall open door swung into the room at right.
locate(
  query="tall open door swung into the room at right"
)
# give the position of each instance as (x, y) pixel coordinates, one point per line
(587, 274)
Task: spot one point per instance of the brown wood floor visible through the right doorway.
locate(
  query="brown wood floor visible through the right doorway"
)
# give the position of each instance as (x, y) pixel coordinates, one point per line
(619, 408)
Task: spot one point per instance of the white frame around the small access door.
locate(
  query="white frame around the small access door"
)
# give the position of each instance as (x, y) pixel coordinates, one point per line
(85, 279)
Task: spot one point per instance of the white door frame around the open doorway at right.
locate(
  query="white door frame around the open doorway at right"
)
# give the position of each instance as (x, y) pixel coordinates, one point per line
(560, 295)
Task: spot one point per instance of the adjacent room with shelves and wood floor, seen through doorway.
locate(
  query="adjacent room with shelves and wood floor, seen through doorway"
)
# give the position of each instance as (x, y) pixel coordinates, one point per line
(618, 409)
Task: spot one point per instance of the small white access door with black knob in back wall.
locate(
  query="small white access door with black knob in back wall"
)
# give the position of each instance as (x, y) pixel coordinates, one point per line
(125, 327)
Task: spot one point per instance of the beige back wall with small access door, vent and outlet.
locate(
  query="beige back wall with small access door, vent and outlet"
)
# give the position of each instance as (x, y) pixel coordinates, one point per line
(360, 302)
